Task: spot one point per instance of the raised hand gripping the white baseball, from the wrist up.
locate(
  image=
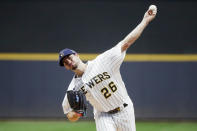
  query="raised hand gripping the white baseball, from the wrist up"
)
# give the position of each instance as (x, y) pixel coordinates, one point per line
(150, 13)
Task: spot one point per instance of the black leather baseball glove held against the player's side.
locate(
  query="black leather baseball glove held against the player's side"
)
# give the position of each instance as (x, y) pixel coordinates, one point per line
(77, 101)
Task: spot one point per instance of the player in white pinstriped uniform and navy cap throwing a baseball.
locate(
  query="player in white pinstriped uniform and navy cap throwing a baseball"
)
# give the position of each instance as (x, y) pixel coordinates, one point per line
(101, 83)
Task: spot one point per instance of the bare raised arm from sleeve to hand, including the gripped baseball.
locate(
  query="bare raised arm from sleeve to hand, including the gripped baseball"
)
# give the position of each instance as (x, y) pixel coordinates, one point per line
(134, 34)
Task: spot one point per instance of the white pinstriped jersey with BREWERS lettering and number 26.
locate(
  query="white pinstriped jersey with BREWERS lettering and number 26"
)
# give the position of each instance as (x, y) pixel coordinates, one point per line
(102, 84)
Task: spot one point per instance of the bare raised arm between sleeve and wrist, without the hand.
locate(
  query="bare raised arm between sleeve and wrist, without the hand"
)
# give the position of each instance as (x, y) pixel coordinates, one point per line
(133, 35)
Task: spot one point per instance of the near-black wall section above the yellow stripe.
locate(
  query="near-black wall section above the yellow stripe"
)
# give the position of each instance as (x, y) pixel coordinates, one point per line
(93, 27)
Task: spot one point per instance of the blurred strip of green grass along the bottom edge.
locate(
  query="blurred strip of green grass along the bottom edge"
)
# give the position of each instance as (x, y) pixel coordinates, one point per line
(90, 126)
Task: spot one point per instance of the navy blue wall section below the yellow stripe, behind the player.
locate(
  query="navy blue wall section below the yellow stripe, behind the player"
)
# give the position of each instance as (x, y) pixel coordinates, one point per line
(35, 89)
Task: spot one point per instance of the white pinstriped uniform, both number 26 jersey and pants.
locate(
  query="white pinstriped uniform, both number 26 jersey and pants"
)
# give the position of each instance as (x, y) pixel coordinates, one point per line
(105, 90)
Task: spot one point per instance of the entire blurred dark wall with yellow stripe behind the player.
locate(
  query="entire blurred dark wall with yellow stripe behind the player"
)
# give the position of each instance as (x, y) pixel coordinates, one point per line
(160, 70)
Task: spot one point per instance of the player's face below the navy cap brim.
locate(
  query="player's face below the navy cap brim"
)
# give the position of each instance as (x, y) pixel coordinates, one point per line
(71, 62)
